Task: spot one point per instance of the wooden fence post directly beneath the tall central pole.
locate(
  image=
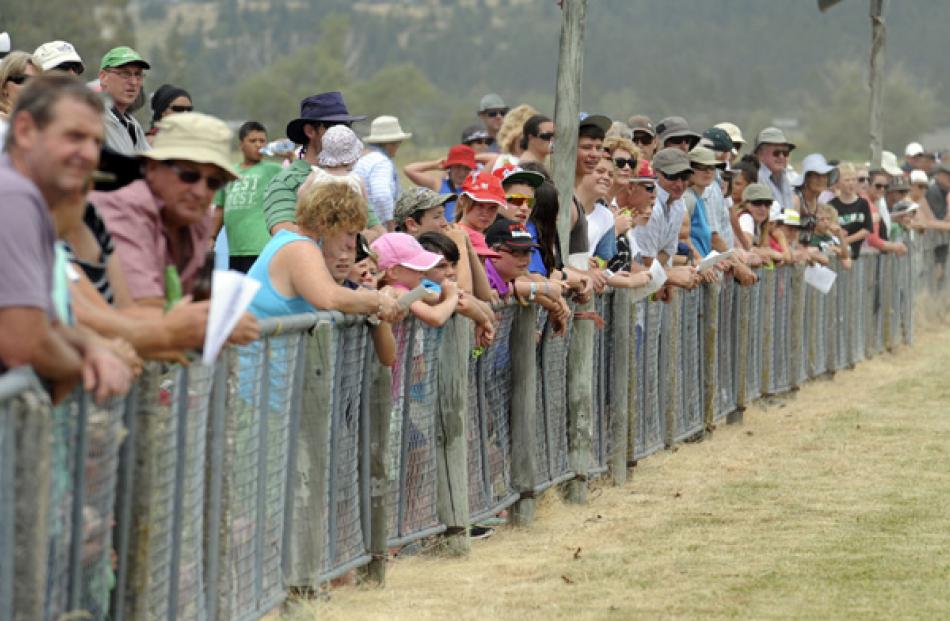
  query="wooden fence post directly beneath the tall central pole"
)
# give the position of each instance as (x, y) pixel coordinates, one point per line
(580, 404)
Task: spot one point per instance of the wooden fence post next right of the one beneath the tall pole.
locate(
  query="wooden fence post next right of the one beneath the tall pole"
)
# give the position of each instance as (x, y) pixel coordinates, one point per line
(622, 349)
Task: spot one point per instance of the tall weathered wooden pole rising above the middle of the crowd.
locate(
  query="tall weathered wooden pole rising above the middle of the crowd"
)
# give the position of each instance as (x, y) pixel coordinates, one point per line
(567, 105)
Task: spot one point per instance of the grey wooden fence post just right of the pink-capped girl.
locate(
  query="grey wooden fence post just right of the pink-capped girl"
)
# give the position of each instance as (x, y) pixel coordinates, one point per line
(452, 498)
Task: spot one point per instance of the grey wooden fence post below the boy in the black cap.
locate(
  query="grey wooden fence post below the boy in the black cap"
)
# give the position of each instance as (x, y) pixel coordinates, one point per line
(524, 412)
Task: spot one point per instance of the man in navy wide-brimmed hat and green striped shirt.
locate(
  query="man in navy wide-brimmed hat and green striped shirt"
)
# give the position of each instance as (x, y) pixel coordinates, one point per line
(318, 113)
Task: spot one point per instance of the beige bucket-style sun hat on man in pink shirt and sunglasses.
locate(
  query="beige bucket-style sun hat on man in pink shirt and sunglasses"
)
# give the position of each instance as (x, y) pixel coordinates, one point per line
(193, 137)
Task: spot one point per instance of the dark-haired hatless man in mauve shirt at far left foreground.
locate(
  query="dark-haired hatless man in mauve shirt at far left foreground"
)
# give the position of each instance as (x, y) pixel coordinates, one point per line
(52, 149)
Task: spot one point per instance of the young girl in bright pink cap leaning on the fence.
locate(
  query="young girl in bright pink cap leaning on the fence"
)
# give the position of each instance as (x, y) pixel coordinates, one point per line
(404, 264)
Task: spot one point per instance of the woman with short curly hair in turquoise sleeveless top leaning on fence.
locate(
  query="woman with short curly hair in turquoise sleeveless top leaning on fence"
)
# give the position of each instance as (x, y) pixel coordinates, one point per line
(291, 269)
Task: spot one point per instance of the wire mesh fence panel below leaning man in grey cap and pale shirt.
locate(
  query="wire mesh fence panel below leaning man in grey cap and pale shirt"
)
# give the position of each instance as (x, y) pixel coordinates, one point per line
(691, 359)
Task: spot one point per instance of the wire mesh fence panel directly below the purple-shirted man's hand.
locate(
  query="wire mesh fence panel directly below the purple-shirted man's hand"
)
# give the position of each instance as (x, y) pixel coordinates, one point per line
(103, 433)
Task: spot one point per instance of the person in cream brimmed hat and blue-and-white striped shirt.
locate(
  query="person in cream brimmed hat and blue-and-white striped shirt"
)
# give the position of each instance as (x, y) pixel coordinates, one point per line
(377, 168)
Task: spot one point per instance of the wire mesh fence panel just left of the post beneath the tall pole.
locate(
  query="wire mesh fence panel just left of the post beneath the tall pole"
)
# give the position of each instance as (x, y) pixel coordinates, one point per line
(551, 428)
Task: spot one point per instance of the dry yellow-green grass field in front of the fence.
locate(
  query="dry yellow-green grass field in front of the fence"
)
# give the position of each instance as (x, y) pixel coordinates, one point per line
(829, 504)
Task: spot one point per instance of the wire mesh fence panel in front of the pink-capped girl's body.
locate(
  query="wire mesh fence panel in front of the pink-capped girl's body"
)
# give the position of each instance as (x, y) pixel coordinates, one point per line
(412, 498)
